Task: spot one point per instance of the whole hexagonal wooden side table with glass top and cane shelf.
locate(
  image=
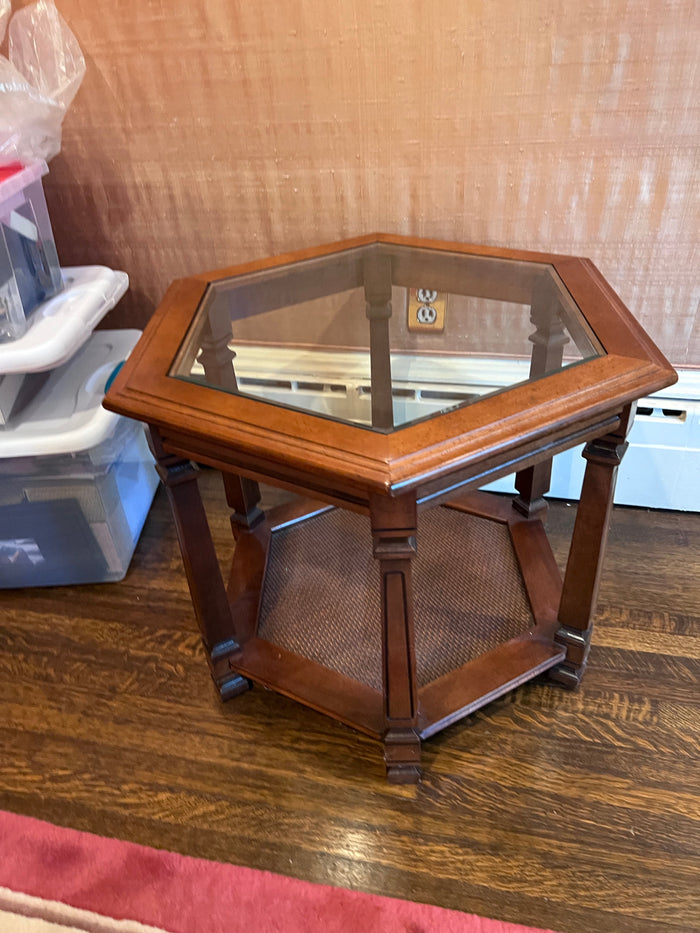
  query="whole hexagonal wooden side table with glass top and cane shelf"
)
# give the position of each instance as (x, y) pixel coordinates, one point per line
(388, 379)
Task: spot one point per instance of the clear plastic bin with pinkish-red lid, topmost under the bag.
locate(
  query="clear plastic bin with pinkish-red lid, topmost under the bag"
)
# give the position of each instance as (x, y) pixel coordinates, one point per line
(29, 269)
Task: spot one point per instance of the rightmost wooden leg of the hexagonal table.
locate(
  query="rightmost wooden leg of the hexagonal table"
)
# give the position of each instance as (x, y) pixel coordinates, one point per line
(585, 563)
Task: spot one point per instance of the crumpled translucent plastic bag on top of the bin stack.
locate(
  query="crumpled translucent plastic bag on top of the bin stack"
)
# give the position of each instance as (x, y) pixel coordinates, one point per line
(38, 82)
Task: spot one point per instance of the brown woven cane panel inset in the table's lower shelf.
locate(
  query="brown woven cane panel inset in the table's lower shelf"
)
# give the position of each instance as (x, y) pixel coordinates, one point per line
(321, 597)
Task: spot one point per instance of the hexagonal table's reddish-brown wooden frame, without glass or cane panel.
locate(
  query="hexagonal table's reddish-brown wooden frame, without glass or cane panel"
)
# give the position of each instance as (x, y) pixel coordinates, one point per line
(390, 478)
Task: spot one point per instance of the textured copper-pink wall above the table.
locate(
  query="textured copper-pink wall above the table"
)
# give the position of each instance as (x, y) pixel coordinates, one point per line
(209, 132)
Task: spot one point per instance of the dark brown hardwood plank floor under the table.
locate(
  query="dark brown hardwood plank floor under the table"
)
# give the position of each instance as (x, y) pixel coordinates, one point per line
(575, 811)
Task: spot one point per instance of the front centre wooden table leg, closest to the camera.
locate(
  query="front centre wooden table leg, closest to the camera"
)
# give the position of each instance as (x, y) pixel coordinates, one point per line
(394, 532)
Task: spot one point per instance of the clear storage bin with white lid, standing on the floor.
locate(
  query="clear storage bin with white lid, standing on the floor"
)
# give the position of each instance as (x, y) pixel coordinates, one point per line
(76, 481)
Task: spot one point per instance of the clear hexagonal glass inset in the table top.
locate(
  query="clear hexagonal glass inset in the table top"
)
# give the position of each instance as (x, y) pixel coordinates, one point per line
(382, 336)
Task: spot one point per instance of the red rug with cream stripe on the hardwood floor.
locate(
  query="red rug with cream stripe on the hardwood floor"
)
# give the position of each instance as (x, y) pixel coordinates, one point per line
(53, 878)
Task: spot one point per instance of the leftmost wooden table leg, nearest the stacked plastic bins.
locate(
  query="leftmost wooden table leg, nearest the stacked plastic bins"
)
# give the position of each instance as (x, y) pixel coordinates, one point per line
(206, 585)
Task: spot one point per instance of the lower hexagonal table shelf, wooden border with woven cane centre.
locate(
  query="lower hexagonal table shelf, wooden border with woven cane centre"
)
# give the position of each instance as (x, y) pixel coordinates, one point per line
(304, 592)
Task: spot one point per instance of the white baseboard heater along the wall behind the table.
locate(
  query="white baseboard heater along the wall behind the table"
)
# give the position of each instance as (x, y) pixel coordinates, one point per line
(660, 470)
